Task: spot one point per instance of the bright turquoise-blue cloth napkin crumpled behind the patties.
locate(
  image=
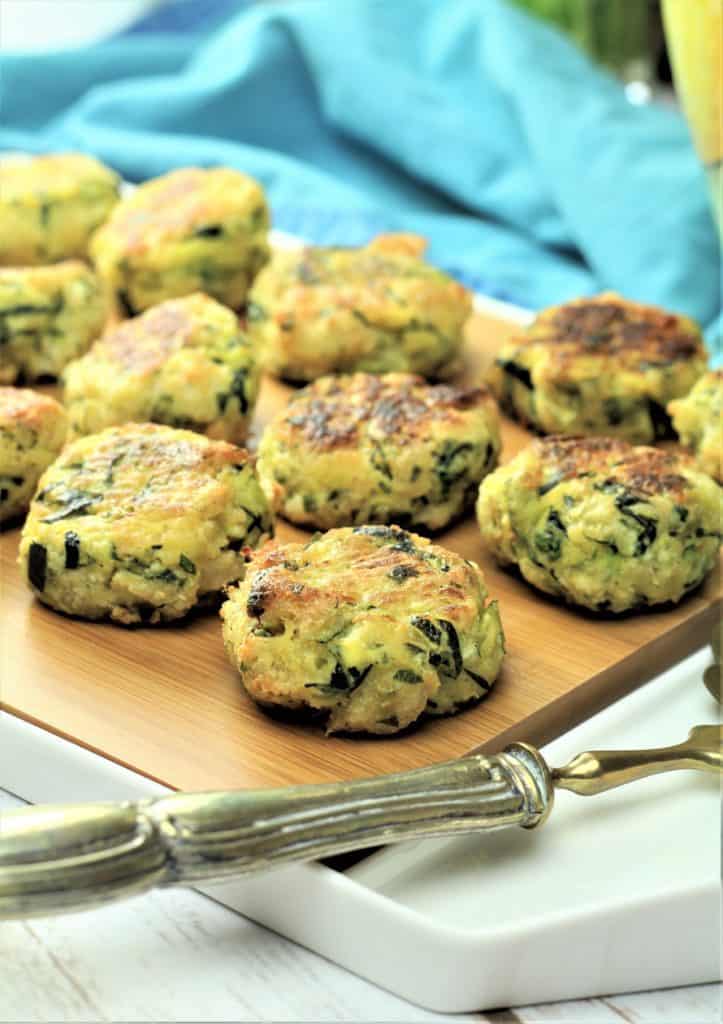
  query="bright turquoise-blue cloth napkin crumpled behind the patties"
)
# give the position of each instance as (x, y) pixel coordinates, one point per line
(472, 123)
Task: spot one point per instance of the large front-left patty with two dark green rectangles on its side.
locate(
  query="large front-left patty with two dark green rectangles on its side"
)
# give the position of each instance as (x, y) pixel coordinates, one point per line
(141, 522)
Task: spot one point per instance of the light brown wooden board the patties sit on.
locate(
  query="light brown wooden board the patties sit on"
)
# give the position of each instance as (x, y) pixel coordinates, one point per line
(164, 701)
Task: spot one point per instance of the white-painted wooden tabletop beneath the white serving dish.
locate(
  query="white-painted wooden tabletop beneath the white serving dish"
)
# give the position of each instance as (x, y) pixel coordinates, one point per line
(178, 956)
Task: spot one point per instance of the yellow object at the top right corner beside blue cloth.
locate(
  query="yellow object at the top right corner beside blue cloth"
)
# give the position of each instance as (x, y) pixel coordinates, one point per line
(695, 36)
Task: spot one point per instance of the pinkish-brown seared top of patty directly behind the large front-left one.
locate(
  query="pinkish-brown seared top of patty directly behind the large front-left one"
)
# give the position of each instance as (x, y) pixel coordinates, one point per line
(143, 345)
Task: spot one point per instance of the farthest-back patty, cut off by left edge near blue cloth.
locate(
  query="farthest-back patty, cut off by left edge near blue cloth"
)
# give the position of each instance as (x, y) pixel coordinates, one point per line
(51, 206)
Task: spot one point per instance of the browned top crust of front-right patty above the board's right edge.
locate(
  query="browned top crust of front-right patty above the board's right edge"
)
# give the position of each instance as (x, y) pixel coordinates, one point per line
(649, 471)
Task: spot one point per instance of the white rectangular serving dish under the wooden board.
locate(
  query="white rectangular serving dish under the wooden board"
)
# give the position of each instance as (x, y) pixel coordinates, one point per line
(616, 893)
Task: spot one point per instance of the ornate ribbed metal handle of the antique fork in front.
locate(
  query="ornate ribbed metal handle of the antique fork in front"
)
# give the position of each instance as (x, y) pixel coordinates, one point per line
(61, 859)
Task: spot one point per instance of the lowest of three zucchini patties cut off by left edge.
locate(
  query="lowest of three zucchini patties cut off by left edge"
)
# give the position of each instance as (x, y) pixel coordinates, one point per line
(32, 433)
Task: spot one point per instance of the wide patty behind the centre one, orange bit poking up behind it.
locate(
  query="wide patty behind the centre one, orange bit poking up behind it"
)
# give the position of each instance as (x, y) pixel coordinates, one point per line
(379, 309)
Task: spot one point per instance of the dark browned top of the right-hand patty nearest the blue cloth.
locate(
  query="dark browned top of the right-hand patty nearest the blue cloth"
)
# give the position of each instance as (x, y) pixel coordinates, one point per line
(611, 326)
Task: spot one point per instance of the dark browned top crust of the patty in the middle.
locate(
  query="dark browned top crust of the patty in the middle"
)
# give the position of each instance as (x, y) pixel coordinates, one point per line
(330, 413)
